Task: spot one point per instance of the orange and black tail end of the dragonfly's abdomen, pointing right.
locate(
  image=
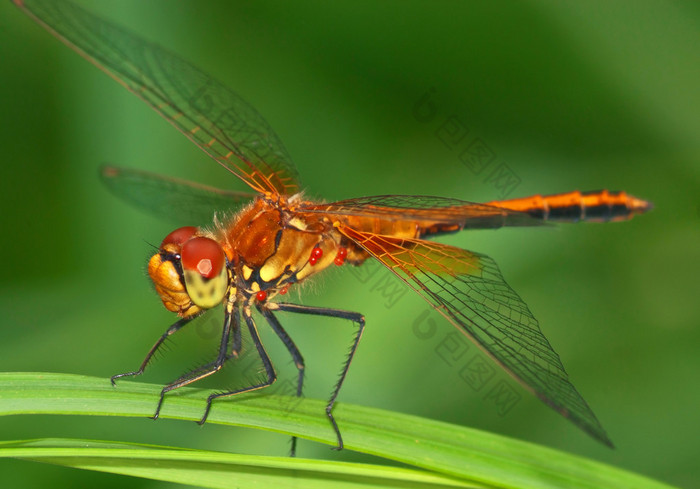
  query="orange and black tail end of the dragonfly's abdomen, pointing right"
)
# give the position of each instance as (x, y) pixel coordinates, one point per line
(594, 206)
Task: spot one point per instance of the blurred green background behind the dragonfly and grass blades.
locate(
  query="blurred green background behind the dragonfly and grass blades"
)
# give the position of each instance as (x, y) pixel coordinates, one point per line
(584, 96)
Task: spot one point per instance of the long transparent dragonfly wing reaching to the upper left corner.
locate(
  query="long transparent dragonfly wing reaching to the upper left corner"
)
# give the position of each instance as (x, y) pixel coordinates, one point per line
(214, 117)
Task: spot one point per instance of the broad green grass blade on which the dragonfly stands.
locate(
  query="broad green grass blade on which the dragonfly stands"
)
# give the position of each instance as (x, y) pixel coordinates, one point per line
(455, 452)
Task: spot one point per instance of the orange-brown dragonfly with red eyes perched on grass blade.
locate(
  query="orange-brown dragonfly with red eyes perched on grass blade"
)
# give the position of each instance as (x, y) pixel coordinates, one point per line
(274, 239)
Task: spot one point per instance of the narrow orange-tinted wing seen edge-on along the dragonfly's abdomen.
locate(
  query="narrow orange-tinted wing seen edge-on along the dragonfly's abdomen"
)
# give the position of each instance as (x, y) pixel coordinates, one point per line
(468, 215)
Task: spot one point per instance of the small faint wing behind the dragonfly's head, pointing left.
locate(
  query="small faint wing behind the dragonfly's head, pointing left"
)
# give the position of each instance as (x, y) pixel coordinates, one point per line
(171, 198)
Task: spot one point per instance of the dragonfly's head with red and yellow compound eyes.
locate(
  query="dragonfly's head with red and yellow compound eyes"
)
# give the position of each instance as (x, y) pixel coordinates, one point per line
(189, 272)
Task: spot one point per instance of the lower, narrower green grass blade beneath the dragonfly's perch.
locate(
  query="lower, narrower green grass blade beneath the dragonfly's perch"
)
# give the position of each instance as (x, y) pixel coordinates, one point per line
(218, 470)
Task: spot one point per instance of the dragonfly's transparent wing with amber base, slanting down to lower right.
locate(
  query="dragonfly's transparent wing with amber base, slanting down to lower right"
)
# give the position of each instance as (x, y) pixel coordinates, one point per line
(468, 289)
